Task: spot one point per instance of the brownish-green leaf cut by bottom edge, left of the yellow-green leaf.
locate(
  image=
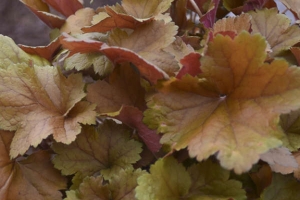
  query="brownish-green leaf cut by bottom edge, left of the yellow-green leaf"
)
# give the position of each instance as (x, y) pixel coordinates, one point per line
(119, 187)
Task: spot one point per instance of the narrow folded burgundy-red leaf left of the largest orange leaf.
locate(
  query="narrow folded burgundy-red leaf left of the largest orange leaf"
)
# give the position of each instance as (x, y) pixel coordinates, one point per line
(133, 117)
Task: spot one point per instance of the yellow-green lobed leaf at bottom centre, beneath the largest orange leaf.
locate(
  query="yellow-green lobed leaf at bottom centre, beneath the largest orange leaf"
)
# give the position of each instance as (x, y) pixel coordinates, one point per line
(169, 180)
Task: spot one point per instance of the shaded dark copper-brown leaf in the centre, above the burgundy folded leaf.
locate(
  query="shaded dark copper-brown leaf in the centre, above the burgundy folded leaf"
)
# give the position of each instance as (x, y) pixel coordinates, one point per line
(123, 88)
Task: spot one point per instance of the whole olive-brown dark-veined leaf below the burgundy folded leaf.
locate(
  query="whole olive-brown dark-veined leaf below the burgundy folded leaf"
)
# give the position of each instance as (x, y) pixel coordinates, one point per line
(107, 149)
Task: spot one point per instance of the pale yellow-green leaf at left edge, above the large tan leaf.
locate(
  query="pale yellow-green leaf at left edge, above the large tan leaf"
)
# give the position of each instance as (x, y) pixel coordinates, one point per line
(10, 53)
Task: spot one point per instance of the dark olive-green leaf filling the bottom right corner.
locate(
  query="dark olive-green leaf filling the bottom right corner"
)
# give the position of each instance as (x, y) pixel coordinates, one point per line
(282, 187)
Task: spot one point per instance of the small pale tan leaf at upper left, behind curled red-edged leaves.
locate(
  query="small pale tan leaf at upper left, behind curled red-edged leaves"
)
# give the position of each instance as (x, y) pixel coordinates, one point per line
(81, 18)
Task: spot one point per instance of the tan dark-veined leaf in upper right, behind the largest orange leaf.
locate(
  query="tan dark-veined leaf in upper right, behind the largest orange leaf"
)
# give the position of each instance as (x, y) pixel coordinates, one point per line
(279, 33)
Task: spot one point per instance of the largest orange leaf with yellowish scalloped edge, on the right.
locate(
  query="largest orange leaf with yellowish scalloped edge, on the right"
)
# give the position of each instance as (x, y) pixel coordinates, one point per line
(233, 109)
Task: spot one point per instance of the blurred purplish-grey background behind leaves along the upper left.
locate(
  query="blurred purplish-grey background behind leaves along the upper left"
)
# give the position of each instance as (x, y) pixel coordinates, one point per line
(19, 23)
